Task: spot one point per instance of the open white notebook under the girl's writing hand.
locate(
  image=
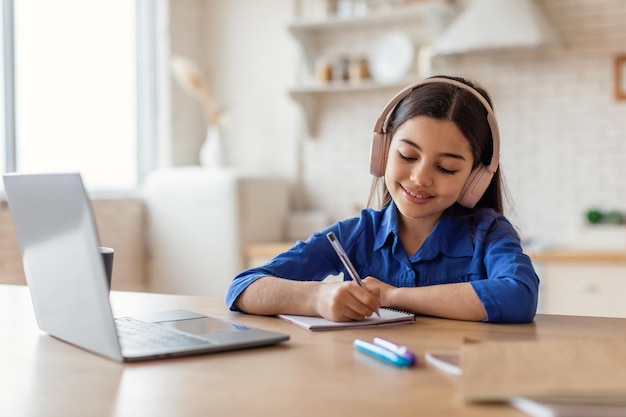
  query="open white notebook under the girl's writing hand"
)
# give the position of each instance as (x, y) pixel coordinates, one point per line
(388, 317)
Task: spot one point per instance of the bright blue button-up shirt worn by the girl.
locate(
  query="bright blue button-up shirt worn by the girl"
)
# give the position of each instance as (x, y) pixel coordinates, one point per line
(482, 249)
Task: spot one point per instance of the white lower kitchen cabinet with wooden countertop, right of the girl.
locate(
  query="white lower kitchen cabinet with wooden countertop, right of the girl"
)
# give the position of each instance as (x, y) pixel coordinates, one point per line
(581, 282)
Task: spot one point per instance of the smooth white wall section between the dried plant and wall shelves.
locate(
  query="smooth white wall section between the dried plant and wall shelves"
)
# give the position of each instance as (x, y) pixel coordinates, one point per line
(253, 58)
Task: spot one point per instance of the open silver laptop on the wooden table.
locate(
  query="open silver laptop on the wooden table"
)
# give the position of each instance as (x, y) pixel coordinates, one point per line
(58, 240)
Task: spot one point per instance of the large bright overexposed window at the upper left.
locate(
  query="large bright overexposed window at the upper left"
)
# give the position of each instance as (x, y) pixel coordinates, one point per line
(77, 99)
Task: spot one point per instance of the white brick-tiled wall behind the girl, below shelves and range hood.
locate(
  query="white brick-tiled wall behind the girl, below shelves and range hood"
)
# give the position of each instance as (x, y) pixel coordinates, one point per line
(563, 133)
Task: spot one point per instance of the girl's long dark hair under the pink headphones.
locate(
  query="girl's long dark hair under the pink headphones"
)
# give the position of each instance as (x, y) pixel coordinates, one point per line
(448, 102)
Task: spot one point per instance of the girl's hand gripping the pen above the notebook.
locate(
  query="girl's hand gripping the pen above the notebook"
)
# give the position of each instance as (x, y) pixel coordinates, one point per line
(347, 301)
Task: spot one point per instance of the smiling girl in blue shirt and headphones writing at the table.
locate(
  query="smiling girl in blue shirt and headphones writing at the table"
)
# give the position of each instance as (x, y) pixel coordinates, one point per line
(436, 244)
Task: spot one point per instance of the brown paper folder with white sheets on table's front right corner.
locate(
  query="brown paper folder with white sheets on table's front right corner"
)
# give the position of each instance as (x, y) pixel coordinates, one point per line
(543, 378)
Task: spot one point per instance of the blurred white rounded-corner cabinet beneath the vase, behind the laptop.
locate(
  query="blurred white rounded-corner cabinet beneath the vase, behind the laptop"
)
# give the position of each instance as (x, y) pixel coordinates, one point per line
(201, 220)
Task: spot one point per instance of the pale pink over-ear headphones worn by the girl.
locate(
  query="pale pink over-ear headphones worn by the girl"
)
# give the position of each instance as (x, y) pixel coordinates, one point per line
(481, 176)
